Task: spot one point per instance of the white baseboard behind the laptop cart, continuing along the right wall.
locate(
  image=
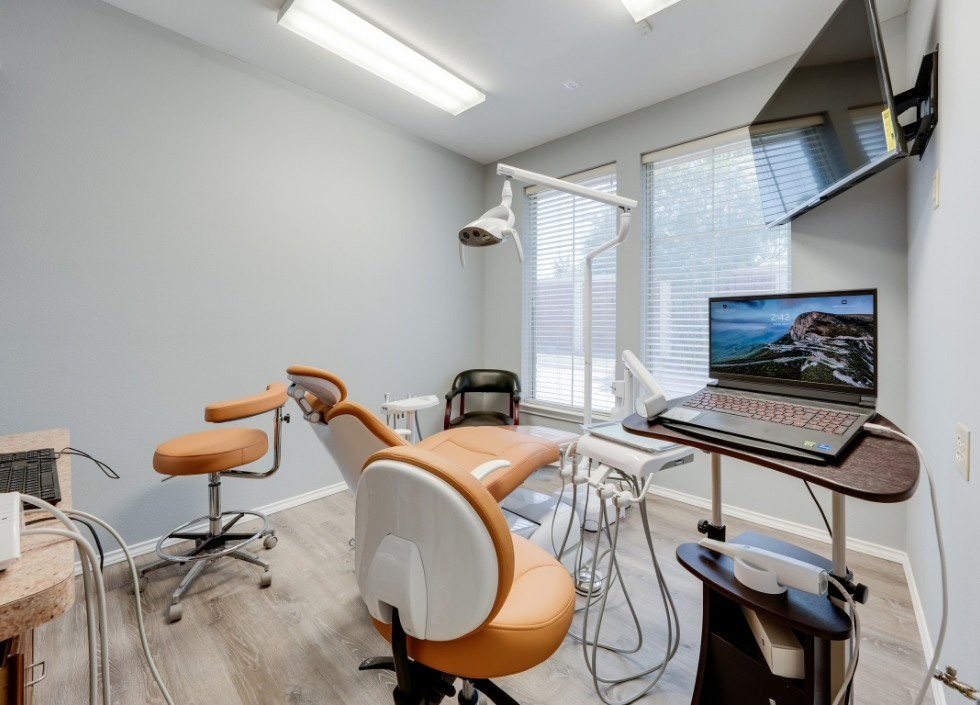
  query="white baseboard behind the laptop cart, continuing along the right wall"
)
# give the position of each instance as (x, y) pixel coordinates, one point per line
(869, 548)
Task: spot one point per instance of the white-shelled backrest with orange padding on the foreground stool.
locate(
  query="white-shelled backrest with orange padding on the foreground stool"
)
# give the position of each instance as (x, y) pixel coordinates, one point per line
(431, 542)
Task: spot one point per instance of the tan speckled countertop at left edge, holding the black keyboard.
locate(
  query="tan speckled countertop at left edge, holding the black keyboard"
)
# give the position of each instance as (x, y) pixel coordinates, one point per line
(41, 585)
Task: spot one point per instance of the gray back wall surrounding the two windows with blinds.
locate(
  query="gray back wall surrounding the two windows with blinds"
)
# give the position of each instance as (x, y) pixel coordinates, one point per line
(858, 240)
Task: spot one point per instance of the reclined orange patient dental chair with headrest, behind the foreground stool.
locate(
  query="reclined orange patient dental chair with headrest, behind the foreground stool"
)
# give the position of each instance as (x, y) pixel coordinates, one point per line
(502, 458)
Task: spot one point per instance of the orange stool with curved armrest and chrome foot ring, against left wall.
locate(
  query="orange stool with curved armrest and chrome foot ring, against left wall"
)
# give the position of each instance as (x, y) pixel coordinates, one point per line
(219, 453)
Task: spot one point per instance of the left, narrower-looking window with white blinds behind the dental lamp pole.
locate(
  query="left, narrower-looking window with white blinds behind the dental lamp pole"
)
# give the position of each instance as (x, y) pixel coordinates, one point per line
(560, 230)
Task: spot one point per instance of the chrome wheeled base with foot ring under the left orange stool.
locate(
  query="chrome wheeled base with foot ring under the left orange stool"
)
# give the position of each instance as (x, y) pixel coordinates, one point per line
(217, 540)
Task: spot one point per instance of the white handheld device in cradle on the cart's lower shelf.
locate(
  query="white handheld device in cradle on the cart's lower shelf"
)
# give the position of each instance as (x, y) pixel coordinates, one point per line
(770, 572)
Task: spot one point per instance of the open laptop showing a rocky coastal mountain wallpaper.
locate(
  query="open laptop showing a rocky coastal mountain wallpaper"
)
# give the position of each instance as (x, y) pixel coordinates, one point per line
(796, 374)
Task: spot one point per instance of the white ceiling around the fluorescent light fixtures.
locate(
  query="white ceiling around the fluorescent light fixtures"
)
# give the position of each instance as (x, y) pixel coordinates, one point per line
(519, 52)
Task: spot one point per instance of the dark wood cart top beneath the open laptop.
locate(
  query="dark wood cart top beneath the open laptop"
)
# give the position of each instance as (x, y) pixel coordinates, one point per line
(877, 468)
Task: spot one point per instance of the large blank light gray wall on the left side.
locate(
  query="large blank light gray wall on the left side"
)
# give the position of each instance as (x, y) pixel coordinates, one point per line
(177, 227)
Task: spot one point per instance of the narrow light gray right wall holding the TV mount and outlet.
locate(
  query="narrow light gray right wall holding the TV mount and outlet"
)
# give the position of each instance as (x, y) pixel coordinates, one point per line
(944, 297)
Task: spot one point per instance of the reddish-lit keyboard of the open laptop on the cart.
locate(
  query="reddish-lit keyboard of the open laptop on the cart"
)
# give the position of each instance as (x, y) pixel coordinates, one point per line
(798, 415)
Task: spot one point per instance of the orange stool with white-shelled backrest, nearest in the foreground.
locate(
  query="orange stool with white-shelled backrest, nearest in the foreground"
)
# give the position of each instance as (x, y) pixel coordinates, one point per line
(454, 592)
